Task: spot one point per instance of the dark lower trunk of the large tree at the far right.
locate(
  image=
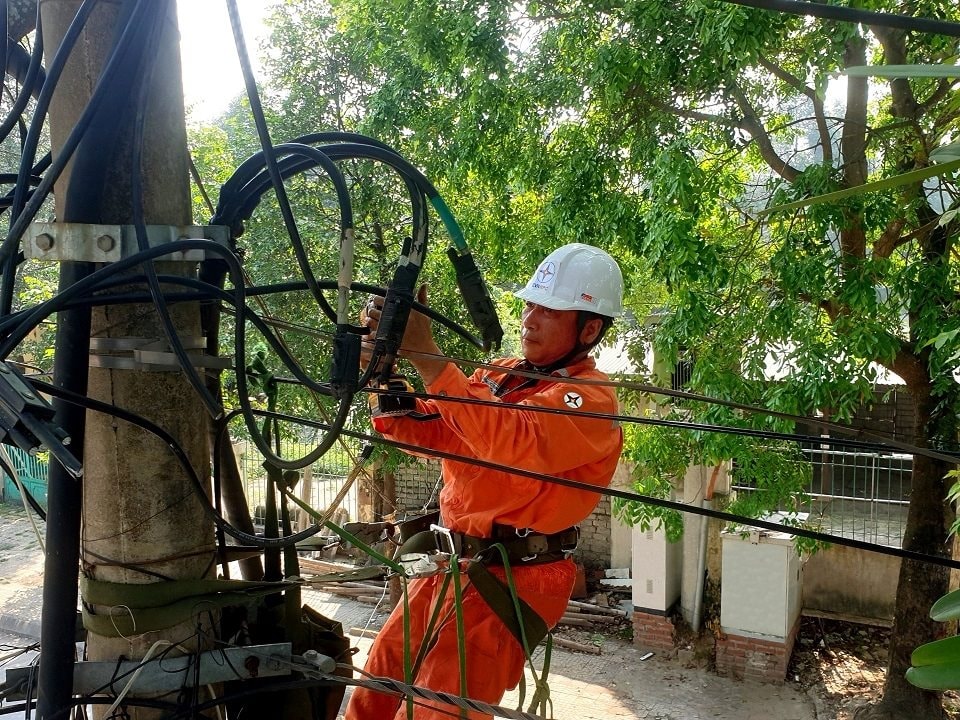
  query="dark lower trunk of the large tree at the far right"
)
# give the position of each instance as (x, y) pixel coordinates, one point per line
(919, 586)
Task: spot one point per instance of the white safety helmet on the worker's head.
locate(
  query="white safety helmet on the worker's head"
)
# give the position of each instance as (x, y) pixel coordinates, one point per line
(577, 277)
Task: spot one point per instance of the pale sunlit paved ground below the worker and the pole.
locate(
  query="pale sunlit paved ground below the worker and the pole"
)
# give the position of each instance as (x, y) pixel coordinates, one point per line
(614, 684)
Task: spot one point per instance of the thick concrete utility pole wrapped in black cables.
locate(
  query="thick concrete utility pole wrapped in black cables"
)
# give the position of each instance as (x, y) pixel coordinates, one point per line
(142, 521)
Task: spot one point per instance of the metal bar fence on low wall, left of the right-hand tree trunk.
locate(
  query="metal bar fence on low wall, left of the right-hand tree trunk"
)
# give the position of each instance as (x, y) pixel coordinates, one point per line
(860, 495)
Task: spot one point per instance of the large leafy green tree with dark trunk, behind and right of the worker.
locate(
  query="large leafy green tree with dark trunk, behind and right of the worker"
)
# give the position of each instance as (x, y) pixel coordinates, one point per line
(662, 131)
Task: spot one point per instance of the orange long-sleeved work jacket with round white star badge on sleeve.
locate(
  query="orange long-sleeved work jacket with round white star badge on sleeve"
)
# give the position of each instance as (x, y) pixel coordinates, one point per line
(511, 434)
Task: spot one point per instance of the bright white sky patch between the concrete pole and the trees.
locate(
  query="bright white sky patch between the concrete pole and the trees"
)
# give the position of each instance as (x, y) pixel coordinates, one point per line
(211, 70)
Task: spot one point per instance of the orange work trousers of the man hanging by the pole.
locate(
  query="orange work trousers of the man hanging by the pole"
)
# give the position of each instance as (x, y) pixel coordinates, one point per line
(494, 658)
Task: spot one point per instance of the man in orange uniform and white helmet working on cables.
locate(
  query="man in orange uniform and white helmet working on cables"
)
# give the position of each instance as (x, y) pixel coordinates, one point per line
(571, 300)
